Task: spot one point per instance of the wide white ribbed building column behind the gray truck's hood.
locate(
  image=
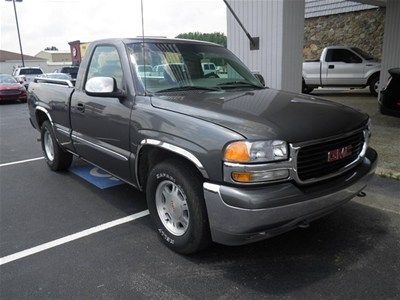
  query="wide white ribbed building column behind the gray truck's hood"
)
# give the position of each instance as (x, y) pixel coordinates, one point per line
(280, 26)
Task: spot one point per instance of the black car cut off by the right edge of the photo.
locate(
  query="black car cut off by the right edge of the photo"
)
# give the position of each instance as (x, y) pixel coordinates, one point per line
(389, 98)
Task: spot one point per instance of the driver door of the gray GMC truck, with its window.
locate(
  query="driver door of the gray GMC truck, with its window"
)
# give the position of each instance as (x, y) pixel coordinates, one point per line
(101, 124)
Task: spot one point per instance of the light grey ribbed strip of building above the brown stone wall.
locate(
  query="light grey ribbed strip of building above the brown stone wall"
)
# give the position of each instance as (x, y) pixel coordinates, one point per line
(317, 8)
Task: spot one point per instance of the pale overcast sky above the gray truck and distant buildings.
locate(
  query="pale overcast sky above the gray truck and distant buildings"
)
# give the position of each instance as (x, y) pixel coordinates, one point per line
(46, 23)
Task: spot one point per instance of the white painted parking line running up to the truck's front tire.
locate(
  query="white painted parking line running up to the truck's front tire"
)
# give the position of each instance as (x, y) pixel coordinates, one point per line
(72, 237)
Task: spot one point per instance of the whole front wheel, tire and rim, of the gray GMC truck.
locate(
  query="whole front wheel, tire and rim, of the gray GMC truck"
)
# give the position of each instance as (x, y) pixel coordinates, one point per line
(176, 203)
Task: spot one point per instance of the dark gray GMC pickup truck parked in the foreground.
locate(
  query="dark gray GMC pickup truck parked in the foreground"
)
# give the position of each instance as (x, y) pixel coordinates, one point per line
(220, 157)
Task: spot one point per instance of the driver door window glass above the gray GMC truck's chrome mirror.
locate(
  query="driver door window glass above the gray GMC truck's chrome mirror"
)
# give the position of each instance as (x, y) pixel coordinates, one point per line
(106, 63)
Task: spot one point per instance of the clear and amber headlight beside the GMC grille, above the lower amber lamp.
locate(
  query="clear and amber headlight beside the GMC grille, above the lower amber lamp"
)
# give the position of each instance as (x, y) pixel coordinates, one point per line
(258, 151)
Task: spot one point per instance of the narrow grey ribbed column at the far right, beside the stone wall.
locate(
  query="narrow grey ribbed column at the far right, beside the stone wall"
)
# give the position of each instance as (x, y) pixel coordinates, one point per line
(391, 40)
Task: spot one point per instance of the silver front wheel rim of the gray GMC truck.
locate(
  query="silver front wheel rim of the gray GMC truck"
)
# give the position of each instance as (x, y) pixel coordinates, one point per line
(172, 207)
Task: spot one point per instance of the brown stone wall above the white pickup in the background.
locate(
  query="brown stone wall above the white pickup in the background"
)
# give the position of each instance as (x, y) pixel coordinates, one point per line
(362, 29)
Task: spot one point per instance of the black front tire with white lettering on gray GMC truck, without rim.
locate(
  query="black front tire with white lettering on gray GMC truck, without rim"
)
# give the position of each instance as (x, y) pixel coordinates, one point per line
(197, 235)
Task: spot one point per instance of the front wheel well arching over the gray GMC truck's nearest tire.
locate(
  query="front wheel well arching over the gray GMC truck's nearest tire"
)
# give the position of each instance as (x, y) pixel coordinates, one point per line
(149, 156)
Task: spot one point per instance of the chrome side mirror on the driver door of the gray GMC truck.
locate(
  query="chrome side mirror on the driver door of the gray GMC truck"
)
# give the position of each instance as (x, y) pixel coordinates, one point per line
(103, 87)
